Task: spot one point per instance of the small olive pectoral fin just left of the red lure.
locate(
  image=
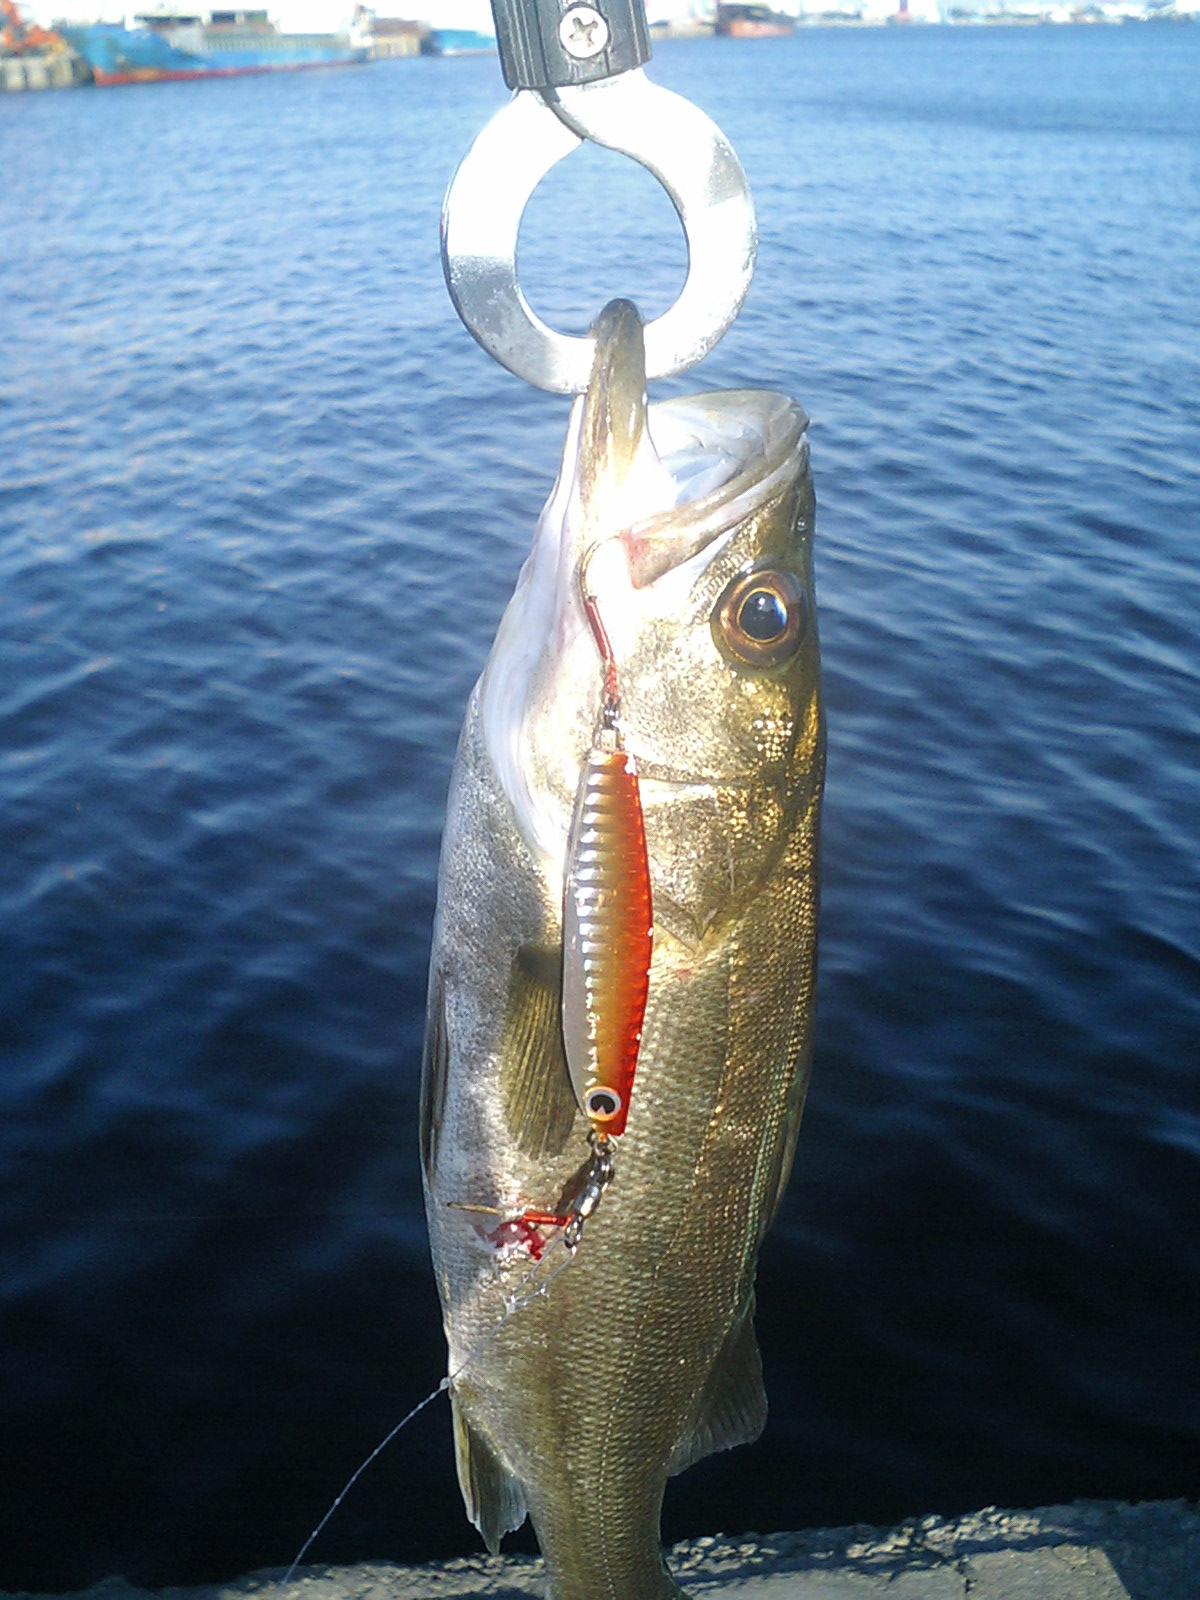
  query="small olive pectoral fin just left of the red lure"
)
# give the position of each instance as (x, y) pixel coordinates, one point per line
(540, 1105)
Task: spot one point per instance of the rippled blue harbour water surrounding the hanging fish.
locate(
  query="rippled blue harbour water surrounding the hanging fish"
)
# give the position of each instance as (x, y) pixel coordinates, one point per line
(263, 502)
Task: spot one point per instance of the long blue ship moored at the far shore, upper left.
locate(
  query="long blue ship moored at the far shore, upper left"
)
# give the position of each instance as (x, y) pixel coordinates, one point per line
(154, 47)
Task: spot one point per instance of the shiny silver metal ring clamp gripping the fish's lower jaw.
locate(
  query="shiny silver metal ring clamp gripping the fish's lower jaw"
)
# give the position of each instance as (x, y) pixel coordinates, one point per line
(487, 199)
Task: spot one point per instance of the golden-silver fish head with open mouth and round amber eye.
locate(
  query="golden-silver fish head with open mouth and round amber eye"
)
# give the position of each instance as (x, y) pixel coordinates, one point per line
(689, 524)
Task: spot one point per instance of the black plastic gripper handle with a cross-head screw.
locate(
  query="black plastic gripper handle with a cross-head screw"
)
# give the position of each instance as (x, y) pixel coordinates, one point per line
(551, 44)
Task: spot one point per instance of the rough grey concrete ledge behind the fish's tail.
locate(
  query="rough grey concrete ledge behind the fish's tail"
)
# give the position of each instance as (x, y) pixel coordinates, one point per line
(1089, 1551)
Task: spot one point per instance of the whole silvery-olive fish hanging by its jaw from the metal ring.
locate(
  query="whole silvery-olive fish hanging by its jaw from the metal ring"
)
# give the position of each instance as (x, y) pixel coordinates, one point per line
(599, 1286)
